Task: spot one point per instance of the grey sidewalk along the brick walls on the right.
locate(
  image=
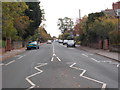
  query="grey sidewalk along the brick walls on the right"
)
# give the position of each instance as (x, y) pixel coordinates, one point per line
(105, 53)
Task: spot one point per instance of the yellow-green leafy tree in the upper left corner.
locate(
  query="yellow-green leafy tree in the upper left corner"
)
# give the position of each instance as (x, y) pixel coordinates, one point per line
(10, 12)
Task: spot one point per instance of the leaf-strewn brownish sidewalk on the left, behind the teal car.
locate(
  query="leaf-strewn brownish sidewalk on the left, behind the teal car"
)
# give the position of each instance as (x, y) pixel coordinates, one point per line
(11, 53)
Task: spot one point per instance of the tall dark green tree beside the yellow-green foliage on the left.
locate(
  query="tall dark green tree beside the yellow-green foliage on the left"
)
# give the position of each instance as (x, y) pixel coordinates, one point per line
(35, 14)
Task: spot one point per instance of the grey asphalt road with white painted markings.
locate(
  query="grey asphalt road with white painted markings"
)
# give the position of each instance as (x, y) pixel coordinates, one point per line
(56, 66)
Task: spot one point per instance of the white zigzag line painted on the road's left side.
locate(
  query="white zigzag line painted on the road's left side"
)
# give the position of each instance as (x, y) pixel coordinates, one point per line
(39, 71)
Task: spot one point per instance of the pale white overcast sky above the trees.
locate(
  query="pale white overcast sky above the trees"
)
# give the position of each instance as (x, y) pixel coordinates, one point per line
(55, 9)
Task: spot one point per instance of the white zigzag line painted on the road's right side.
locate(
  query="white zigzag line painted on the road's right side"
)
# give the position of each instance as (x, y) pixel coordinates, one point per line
(82, 75)
